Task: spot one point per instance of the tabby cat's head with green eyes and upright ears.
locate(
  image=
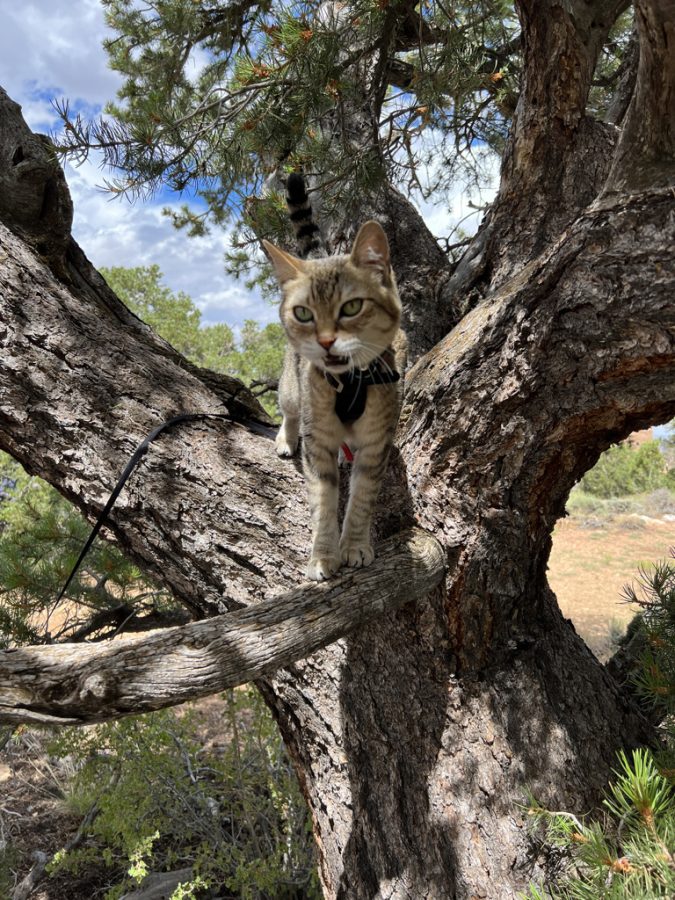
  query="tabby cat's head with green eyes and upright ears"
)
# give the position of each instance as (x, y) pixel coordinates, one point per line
(340, 312)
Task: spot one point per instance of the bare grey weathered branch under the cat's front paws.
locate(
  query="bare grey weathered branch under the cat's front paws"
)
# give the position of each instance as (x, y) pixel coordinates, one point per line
(76, 684)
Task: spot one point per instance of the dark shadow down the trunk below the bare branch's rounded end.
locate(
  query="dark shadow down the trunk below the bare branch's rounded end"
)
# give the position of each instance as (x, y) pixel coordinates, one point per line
(396, 686)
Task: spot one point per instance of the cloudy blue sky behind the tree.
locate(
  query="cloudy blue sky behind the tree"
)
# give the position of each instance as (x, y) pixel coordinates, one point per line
(52, 49)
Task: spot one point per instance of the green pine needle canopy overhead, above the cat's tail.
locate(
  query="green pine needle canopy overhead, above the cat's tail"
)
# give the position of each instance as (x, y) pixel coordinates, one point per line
(215, 97)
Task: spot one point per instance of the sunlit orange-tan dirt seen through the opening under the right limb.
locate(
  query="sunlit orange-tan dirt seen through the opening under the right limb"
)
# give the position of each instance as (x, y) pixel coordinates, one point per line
(592, 561)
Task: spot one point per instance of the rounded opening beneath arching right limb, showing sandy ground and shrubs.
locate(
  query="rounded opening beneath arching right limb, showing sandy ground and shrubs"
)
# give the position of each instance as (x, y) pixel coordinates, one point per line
(620, 517)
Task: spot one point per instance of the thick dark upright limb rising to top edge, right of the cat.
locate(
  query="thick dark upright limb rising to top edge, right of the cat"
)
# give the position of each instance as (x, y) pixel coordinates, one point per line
(557, 158)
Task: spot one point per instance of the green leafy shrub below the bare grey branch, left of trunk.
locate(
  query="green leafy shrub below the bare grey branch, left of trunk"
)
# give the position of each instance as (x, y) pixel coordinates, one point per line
(236, 817)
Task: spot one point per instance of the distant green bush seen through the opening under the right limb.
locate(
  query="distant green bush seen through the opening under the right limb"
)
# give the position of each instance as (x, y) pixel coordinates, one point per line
(623, 470)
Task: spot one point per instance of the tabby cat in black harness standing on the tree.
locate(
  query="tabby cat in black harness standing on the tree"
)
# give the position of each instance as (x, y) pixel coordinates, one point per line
(340, 383)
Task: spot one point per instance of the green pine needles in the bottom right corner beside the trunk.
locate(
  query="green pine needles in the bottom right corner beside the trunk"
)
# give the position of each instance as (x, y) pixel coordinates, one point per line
(629, 854)
